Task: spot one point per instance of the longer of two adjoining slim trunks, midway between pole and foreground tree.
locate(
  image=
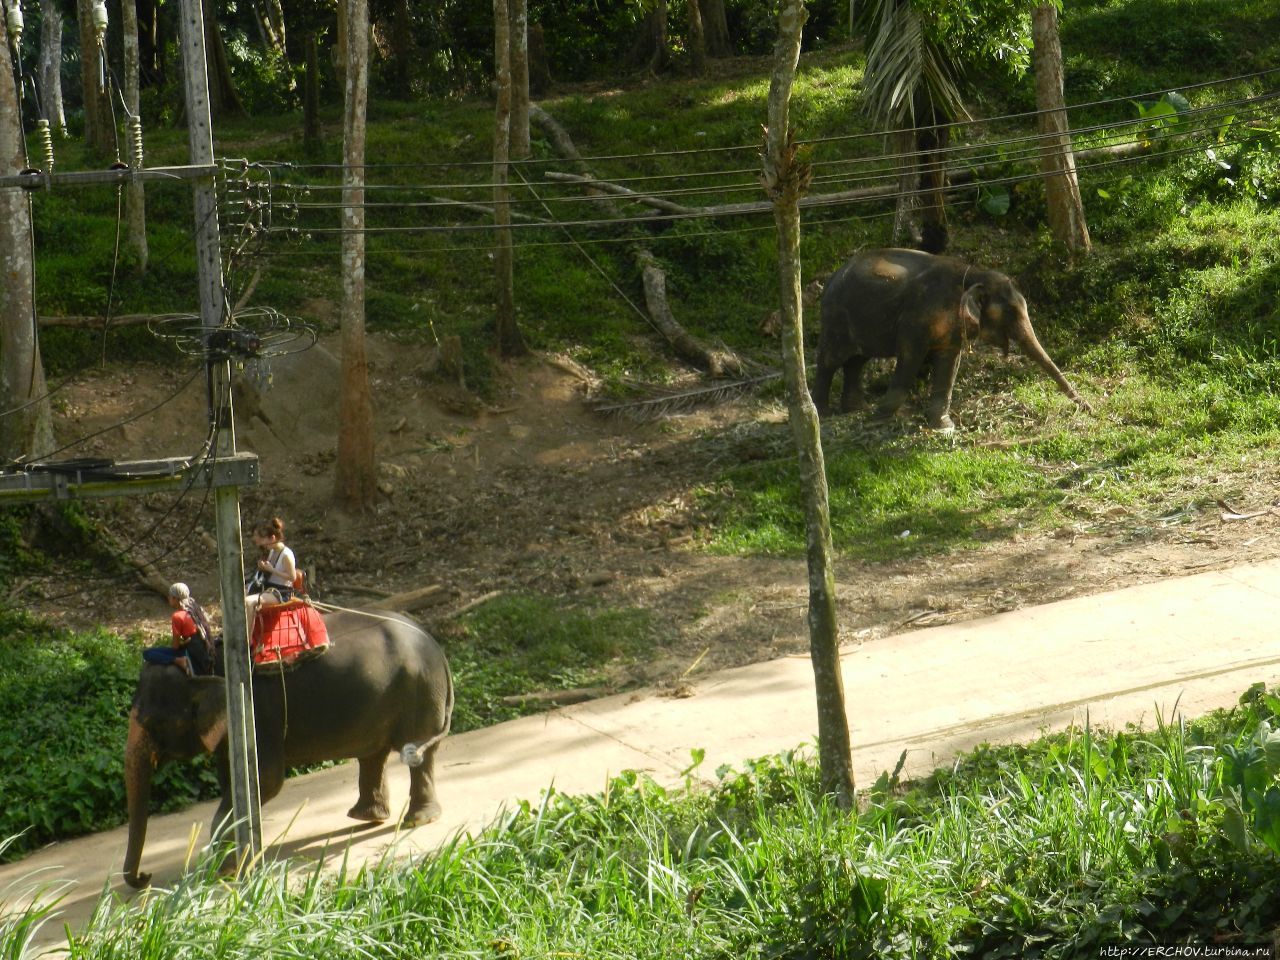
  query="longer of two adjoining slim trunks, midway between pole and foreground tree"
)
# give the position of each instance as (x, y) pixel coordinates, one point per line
(510, 341)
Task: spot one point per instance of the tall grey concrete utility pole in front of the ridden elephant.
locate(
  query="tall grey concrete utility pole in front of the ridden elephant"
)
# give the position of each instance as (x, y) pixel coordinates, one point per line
(243, 744)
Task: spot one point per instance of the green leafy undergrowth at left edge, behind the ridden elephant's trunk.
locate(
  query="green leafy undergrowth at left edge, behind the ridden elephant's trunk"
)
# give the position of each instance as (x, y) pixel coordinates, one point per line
(62, 769)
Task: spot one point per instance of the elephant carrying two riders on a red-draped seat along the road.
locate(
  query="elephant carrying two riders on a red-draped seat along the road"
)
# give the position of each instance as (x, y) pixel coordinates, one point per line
(383, 685)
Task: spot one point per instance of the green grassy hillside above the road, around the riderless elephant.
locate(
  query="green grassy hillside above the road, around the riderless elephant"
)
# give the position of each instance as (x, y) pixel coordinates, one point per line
(1171, 327)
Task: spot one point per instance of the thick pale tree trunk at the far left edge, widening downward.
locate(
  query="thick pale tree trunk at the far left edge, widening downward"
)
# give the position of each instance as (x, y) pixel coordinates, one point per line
(26, 418)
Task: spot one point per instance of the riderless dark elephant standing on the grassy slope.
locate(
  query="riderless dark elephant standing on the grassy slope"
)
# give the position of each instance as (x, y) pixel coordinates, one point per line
(921, 309)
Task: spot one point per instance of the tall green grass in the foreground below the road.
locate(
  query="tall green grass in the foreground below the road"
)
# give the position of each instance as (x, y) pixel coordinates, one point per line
(1049, 851)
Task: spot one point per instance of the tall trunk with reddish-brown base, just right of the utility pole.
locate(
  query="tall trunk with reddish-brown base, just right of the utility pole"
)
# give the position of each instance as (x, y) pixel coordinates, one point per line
(356, 476)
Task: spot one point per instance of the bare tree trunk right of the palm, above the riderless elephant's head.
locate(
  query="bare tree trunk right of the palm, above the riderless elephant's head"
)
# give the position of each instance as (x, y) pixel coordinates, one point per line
(1058, 162)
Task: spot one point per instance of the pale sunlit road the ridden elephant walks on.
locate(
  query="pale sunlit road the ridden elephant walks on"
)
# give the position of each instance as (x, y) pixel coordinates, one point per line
(1122, 657)
